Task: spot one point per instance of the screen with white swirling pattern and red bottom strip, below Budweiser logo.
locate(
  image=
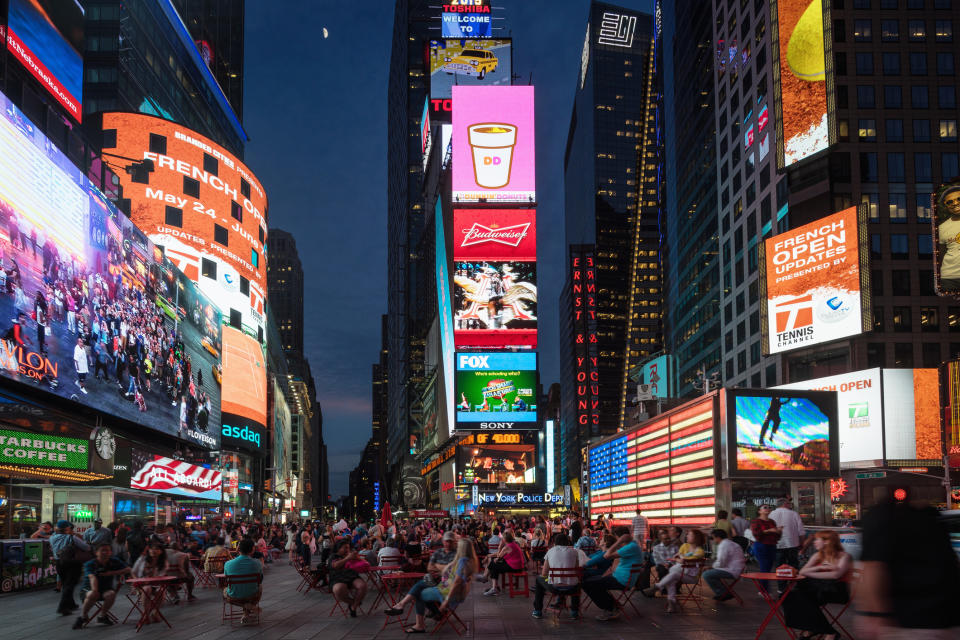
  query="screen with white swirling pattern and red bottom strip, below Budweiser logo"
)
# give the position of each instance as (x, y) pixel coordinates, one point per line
(495, 303)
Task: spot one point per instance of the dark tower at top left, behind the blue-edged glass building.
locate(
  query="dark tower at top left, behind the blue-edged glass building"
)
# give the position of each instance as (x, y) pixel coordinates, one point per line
(217, 30)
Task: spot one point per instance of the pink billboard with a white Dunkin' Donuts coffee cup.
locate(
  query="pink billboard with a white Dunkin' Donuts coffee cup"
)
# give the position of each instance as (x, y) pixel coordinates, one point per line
(493, 144)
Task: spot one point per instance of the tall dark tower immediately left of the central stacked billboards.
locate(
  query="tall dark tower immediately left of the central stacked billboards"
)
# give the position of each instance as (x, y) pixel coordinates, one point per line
(406, 213)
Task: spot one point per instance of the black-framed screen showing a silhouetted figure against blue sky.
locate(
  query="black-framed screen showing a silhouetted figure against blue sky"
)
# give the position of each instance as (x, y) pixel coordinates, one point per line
(771, 432)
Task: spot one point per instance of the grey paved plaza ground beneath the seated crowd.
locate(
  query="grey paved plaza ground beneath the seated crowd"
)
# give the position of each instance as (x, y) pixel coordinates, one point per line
(292, 615)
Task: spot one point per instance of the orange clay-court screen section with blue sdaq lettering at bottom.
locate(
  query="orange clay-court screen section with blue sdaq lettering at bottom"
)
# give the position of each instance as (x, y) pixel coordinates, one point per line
(244, 398)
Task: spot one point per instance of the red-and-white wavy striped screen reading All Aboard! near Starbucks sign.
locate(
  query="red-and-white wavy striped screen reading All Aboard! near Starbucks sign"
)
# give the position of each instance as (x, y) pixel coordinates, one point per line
(166, 475)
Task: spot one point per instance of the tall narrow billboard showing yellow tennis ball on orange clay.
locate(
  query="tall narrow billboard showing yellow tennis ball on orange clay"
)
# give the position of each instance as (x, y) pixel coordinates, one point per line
(800, 81)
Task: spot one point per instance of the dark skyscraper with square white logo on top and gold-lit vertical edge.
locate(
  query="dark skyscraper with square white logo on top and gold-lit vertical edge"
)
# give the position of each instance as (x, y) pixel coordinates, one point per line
(612, 180)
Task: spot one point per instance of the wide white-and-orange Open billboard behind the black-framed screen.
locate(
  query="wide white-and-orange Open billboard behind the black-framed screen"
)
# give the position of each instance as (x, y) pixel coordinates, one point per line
(884, 413)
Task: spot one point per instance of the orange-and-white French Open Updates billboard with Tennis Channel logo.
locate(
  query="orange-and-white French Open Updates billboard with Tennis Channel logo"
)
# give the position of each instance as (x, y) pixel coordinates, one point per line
(816, 282)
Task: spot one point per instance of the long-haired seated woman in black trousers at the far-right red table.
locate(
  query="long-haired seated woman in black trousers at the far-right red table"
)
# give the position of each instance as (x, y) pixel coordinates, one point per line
(826, 574)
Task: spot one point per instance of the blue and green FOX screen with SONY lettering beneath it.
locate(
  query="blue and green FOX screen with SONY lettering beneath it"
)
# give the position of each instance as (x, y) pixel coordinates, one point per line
(496, 391)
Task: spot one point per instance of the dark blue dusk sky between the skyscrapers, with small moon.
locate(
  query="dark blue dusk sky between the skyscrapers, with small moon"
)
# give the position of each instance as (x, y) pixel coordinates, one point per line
(316, 111)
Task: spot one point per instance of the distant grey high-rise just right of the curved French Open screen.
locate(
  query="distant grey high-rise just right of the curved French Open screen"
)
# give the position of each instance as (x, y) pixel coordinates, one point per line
(285, 288)
